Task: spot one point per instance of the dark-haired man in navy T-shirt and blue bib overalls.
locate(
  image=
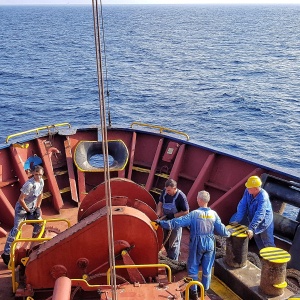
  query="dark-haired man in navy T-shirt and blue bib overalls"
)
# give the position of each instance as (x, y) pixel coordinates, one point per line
(172, 204)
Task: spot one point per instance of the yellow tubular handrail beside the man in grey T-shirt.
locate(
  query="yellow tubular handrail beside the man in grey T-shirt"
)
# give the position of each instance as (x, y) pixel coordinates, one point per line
(39, 238)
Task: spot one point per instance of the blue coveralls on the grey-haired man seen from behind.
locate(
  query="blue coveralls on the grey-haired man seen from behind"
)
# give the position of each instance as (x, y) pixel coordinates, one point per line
(203, 222)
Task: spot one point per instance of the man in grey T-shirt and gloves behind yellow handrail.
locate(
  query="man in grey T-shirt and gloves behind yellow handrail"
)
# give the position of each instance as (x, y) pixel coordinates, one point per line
(27, 208)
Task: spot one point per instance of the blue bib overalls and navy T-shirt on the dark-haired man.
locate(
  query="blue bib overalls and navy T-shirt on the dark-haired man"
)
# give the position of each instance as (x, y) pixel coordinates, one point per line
(173, 244)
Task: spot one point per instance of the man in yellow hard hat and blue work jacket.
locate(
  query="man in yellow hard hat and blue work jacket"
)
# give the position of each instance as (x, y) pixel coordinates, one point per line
(255, 205)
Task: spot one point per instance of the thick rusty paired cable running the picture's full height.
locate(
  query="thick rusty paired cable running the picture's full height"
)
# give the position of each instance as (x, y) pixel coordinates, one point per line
(97, 36)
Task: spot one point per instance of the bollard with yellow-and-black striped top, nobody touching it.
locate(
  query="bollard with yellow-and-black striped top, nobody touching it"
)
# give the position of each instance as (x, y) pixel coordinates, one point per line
(273, 271)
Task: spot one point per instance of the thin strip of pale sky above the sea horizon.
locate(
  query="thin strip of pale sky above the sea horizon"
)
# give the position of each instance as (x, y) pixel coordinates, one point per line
(88, 2)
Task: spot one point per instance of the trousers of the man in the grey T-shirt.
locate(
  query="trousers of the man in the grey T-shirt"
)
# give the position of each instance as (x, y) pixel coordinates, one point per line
(20, 215)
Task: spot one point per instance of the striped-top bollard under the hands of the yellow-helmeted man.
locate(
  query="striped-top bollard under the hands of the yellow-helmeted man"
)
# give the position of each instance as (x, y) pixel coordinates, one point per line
(237, 246)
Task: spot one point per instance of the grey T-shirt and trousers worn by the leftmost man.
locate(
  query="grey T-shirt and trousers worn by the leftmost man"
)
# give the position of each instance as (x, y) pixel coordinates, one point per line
(32, 190)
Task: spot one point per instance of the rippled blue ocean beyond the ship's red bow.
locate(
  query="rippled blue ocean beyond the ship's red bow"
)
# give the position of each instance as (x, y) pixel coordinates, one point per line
(226, 75)
